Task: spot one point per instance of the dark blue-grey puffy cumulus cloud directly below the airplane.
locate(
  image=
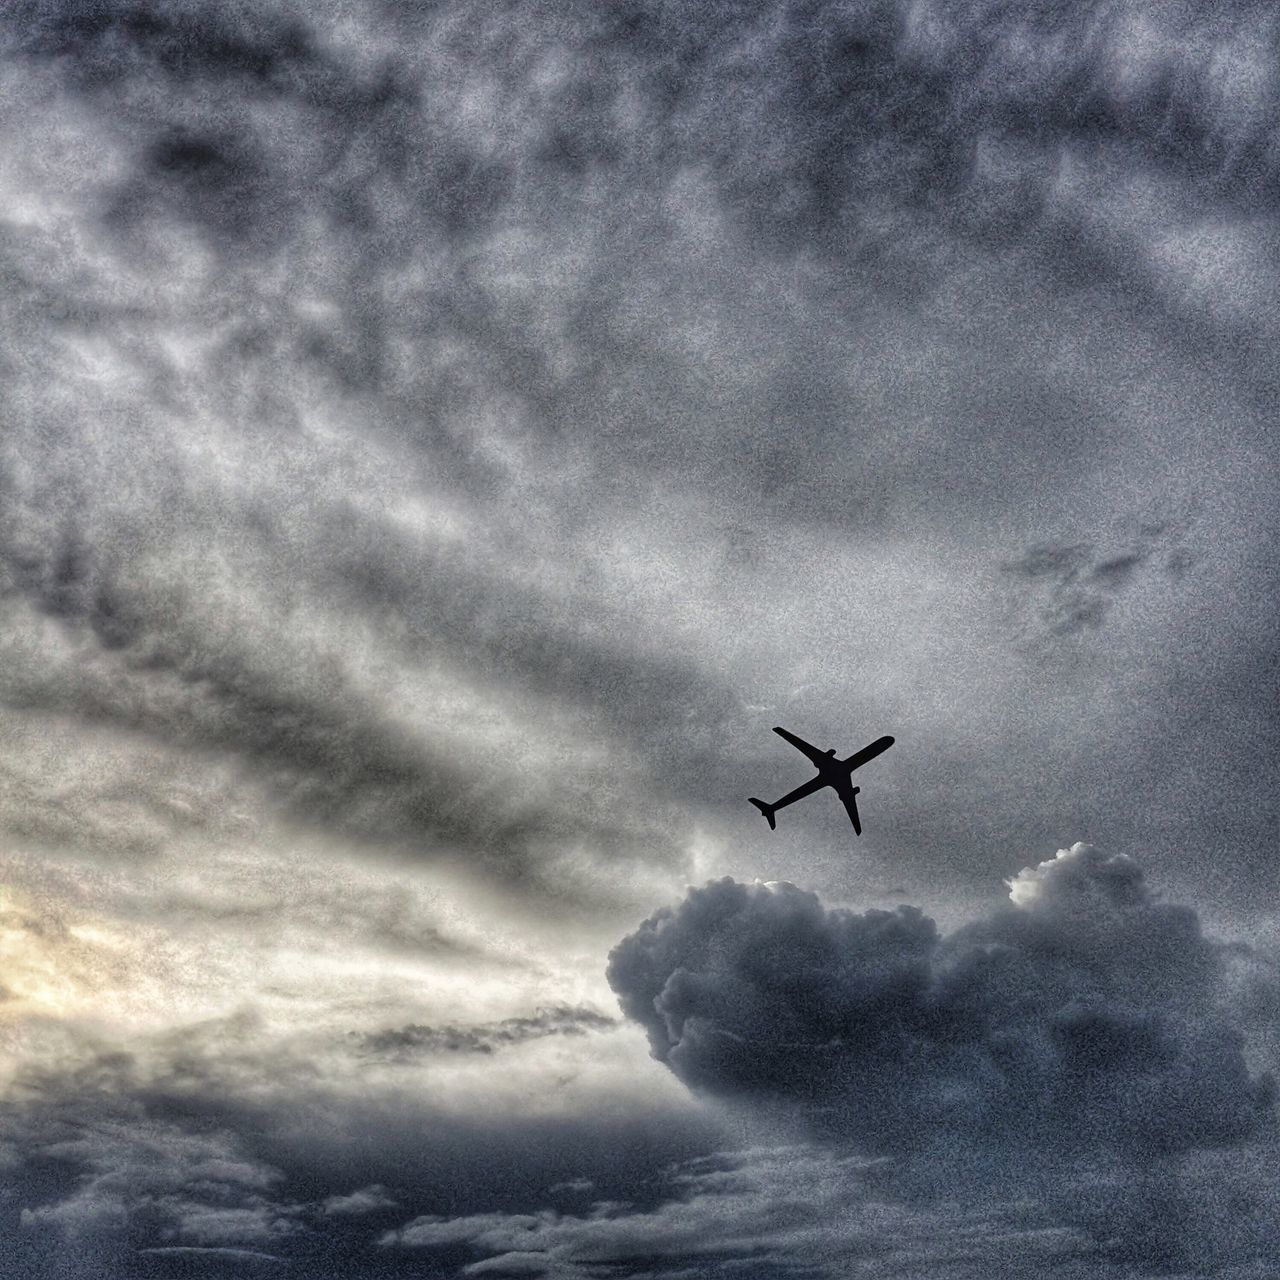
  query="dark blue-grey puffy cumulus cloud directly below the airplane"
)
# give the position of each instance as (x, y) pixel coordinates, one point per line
(1087, 1016)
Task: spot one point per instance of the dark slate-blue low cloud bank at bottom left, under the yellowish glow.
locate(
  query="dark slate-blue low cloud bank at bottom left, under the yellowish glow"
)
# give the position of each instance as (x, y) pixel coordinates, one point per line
(116, 1159)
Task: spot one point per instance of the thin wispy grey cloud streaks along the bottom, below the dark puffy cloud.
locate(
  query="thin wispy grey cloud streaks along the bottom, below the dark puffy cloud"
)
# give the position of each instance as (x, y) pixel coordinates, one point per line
(778, 1213)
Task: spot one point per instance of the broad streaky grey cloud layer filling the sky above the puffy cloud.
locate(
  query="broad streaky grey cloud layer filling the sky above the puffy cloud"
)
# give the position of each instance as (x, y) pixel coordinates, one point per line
(394, 397)
